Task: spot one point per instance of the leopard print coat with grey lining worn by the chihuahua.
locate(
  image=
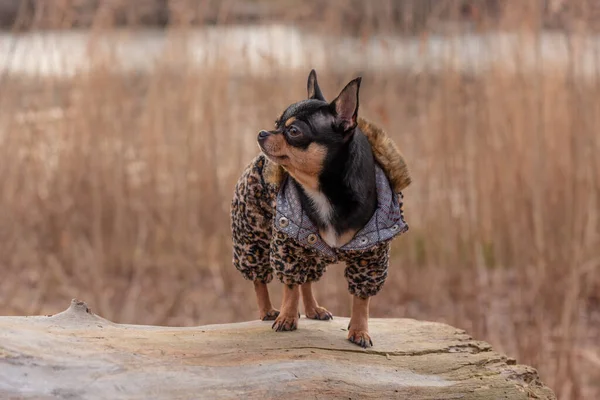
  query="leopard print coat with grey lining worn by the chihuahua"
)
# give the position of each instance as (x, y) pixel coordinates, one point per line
(273, 235)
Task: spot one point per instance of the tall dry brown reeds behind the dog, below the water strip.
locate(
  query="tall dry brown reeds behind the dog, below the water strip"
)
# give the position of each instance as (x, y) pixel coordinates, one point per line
(119, 195)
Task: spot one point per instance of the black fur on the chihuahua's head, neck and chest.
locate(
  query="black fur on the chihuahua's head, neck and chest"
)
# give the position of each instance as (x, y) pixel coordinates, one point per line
(347, 177)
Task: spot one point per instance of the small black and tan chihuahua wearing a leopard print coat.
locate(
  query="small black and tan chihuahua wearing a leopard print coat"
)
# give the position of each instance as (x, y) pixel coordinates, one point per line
(326, 188)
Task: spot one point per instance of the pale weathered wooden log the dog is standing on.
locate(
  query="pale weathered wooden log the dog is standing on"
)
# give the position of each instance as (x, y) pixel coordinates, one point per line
(79, 355)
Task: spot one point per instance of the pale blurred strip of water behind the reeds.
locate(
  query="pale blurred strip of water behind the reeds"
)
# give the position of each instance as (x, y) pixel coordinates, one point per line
(258, 50)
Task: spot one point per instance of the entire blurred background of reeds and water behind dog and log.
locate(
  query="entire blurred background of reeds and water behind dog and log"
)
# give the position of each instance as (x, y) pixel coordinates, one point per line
(124, 125)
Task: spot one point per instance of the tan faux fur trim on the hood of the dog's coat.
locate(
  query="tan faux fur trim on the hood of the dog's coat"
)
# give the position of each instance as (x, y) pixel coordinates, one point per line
(386, 153)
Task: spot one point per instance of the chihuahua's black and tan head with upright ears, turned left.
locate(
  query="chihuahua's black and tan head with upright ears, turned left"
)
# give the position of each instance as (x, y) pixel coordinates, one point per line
(311, 131)
